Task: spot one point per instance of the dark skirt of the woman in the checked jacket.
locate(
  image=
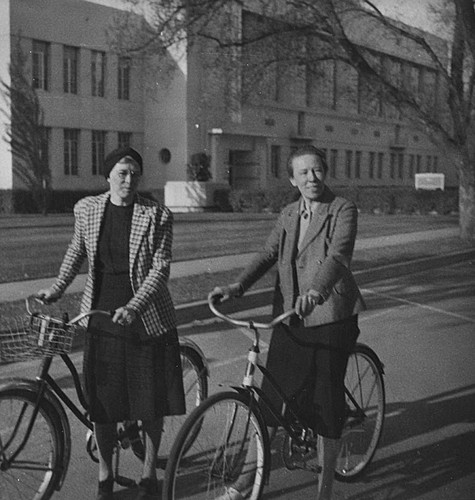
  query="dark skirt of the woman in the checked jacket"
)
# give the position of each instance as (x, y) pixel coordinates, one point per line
(127, 374)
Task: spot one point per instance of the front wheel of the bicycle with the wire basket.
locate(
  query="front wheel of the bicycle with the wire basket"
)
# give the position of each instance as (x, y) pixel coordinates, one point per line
(36, 471)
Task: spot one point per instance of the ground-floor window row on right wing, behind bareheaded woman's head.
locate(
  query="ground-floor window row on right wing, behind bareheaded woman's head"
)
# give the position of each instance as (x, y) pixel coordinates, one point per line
(371, 164)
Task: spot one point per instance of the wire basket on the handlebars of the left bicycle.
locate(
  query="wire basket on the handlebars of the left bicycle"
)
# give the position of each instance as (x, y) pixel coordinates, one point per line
(33, 336)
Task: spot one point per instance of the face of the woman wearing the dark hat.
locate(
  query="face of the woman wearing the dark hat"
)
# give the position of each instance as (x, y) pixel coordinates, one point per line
(124, 180)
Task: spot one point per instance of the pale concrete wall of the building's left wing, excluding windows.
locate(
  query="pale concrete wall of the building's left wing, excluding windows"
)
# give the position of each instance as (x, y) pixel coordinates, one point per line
(152, 114)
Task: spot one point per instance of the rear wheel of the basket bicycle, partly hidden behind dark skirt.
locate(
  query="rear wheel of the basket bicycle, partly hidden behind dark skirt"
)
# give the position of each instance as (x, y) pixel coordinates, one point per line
(195, 382)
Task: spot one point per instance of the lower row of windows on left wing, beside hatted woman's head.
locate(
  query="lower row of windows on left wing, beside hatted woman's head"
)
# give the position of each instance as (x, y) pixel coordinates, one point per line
(71, 148)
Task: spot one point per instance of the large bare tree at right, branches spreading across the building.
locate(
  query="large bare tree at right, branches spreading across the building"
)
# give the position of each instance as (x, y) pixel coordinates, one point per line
(295, 36)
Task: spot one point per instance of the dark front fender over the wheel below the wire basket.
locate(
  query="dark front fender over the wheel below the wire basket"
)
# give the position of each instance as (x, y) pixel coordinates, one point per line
(32, 386)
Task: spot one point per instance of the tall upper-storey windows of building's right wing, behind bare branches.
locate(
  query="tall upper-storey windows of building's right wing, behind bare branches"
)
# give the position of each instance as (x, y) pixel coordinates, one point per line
(323, 83)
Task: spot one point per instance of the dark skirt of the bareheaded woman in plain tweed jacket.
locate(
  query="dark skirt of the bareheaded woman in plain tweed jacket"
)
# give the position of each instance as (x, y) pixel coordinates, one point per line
(309, 365)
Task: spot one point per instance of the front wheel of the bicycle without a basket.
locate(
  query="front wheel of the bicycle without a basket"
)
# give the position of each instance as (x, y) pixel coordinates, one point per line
(228, 449)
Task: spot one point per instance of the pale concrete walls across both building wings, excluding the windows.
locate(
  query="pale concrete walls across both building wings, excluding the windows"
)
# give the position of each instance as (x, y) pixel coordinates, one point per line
(185, 105)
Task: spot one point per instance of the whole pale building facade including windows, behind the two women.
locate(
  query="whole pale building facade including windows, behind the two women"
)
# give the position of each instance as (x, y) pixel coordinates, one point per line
(94, 100)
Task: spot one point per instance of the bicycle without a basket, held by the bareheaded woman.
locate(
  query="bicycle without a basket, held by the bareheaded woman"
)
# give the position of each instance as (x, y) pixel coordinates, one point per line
(231, 440)
